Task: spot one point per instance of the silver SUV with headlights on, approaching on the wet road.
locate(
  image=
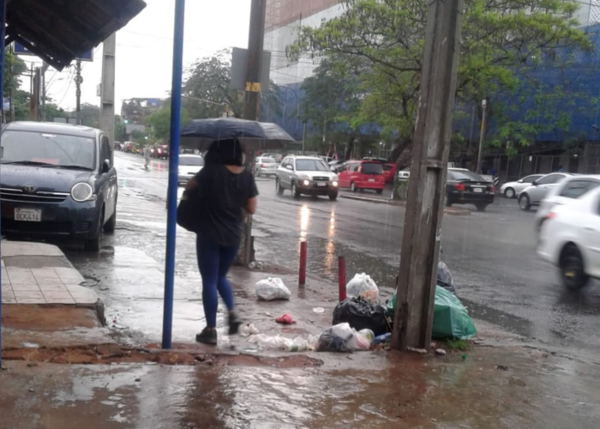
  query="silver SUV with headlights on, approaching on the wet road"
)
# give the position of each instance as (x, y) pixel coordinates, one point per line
(306, 175)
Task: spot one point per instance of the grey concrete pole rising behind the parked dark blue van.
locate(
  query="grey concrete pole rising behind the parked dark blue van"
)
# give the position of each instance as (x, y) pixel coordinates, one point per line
(107, 87)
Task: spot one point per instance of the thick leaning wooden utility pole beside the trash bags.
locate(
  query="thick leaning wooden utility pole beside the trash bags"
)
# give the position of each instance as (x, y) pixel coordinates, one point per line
(416, 280)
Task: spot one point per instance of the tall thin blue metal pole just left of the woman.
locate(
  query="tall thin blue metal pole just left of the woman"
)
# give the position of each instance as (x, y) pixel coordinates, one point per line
(173, 167)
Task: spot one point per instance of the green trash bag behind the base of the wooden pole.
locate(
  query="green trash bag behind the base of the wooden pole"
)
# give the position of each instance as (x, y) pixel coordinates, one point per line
(450, 318)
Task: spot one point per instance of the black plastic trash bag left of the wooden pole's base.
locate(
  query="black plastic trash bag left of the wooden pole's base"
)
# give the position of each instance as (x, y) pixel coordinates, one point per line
(361, 314)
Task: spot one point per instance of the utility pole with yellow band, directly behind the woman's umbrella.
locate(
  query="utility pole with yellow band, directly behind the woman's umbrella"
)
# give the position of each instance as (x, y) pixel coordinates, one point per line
(252, 103)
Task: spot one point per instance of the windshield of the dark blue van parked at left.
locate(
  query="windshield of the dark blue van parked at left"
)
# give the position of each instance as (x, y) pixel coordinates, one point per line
(45, 148)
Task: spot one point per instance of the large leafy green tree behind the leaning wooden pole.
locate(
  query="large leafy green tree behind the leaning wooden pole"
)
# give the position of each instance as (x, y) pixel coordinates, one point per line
(385, 37)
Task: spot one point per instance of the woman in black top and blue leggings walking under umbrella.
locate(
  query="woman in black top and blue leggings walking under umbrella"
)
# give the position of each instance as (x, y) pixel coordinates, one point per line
(225, 190)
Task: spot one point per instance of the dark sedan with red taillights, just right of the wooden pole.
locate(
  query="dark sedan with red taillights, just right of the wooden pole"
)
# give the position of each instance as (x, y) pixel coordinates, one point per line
(465, 187)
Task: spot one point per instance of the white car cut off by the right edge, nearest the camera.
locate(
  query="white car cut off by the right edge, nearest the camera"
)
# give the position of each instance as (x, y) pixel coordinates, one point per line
(570, 239)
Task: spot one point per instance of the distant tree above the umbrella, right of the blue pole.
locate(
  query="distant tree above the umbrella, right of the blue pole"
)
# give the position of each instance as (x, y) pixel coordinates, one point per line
(207, 93)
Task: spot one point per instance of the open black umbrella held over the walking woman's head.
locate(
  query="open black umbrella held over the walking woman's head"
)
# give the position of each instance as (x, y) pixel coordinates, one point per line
(254, 135)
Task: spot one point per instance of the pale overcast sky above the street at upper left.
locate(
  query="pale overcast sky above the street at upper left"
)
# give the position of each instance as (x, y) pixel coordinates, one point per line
(145, 46)
